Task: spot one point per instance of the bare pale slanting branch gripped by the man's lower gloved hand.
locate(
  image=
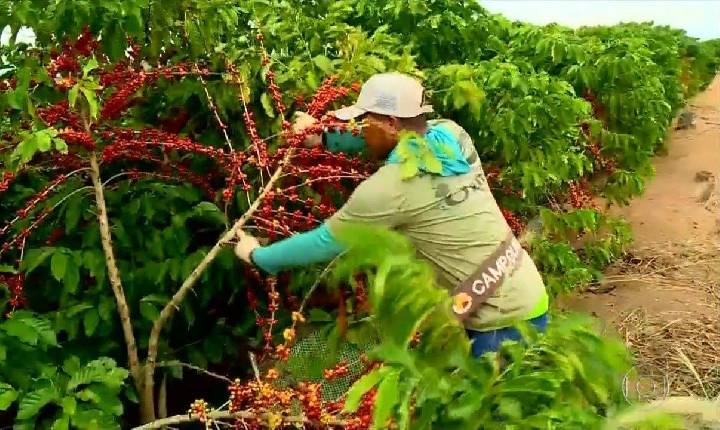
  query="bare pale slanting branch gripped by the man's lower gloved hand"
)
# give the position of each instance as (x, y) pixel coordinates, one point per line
(176, 301)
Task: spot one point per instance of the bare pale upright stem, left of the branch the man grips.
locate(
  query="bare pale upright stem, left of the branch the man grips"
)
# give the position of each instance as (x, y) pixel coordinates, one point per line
(114, 273)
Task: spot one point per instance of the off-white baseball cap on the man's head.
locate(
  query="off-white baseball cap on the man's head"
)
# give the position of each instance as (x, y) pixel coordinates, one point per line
(392, 94)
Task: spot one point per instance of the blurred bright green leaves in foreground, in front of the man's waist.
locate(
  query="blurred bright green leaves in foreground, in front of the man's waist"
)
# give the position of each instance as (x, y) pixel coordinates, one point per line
(567, 378)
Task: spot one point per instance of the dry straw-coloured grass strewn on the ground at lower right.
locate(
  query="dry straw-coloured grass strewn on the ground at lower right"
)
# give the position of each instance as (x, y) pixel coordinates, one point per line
(677, 353)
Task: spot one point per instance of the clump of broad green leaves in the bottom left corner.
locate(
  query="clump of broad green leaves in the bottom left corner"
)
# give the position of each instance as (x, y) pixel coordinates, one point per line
(44, 387)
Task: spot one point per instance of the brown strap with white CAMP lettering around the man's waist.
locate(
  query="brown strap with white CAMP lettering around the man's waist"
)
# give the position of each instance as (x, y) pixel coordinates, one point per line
(479, 287)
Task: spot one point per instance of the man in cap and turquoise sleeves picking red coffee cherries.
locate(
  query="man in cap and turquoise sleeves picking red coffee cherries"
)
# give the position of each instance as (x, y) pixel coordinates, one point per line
(451, 218)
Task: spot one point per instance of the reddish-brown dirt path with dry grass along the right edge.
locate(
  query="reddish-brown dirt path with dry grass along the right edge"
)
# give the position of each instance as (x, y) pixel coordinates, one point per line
(664, 298)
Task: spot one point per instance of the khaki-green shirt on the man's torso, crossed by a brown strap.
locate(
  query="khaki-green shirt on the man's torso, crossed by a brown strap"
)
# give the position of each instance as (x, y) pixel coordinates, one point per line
(454, 223)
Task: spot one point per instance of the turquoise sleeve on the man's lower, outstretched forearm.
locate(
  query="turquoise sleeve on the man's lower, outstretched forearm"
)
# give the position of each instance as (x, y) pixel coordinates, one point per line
(314, 246)
